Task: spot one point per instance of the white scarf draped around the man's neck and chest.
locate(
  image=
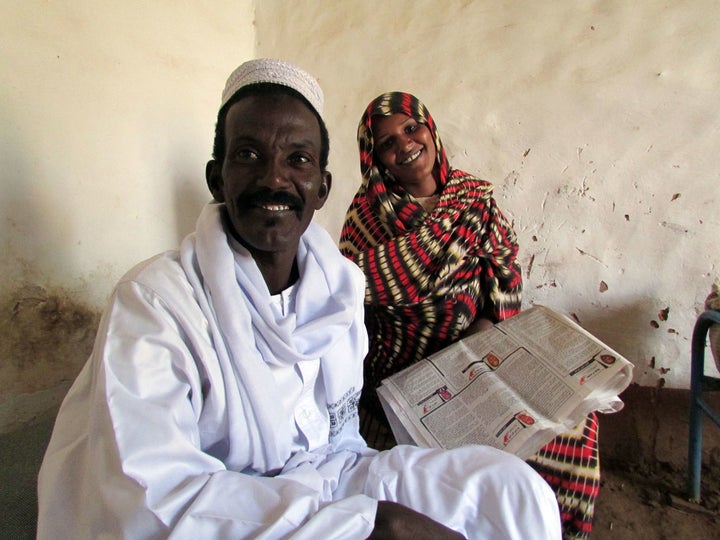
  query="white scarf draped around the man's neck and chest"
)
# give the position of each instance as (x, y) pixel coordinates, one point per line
(247, 338)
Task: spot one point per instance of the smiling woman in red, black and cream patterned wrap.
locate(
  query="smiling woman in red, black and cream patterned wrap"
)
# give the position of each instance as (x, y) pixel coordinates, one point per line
(441, 261)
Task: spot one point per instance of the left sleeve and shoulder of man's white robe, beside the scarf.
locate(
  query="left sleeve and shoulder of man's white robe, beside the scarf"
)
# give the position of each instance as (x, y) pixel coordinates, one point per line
(148, 401)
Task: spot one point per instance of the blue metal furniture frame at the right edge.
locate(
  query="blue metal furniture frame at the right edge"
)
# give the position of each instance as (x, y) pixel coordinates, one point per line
(699, 382)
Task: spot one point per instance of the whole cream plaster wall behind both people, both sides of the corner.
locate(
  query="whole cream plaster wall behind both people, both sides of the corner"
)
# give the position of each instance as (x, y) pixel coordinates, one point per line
(597, 122)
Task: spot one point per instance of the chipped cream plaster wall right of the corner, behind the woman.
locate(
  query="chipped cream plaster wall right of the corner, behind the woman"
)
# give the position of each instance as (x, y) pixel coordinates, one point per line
(598, 122)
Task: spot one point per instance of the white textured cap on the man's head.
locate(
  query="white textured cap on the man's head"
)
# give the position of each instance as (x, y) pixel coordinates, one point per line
(267, 70)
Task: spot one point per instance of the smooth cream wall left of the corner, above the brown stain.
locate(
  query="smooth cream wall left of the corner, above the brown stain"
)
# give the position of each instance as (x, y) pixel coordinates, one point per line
(107, 111)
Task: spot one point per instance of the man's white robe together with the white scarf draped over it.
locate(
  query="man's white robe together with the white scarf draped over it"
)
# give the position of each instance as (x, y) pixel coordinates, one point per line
(175, 426)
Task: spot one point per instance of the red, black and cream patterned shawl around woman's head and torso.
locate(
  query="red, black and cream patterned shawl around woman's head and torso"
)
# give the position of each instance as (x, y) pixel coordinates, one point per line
(429, 275)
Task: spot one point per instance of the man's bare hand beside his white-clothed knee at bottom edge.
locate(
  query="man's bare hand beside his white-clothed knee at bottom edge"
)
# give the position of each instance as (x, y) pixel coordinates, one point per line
(394, 521)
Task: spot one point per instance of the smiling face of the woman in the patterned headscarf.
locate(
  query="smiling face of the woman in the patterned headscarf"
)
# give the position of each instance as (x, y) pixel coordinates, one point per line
(407, 150)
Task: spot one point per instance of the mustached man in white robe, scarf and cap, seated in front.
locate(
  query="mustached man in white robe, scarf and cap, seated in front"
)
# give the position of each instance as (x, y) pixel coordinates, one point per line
(220, 400)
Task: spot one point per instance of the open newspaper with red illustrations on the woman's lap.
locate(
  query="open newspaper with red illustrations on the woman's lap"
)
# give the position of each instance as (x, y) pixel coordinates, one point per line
(515, 386)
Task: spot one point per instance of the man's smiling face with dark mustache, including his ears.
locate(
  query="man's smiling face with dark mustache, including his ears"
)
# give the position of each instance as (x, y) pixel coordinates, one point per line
(270, 180)
